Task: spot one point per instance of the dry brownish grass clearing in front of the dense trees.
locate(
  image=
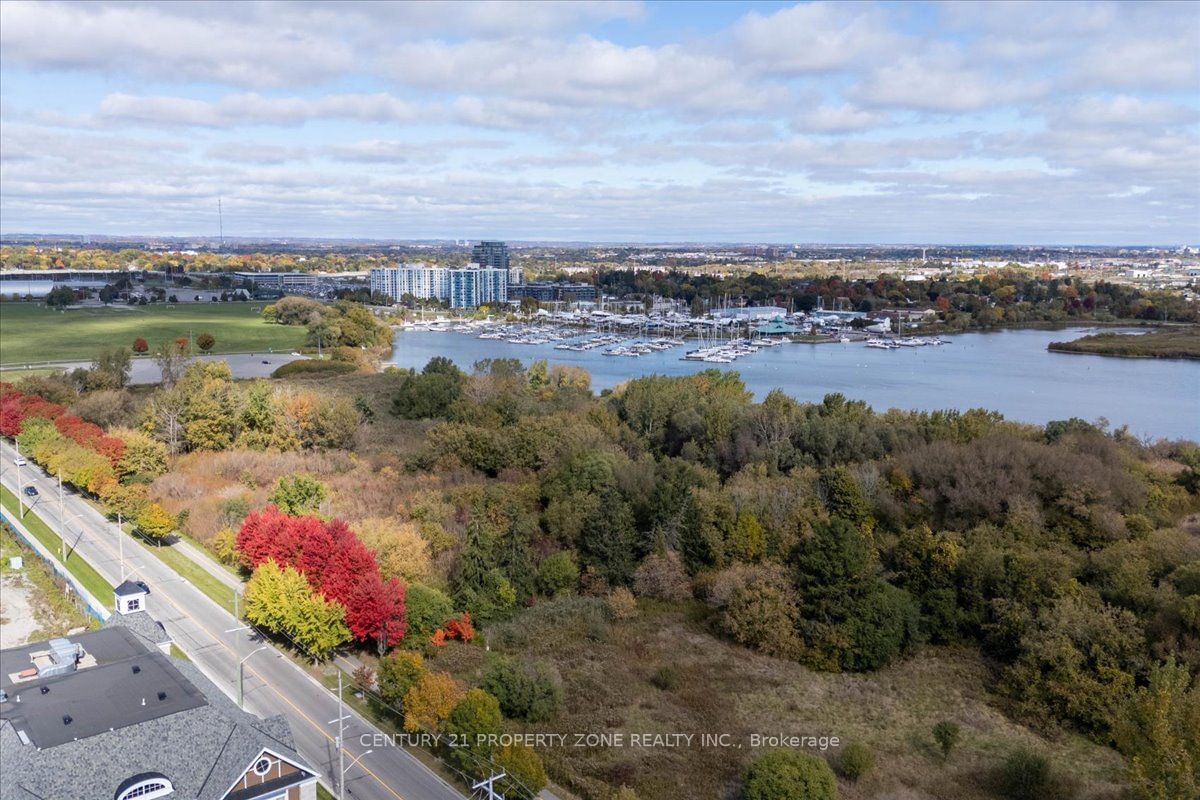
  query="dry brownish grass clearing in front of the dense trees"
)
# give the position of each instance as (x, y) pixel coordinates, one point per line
(613, 681)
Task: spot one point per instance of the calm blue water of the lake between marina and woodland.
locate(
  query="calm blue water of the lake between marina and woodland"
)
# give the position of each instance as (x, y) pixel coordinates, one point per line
(1010, 372)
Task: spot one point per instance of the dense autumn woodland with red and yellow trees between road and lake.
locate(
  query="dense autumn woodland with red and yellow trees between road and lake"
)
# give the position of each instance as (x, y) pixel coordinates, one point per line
(513, 508)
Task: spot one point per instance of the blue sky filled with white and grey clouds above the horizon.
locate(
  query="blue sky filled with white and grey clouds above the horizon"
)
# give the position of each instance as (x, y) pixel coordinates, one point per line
(625, 122)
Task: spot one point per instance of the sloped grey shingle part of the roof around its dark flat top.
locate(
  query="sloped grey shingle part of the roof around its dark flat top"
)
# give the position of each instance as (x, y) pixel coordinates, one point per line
(202, 749)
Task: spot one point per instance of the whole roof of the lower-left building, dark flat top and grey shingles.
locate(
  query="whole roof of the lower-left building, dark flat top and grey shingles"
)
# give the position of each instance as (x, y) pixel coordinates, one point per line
(135, 713)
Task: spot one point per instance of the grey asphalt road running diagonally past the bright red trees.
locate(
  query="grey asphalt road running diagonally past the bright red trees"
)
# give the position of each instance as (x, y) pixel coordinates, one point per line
(207, 634)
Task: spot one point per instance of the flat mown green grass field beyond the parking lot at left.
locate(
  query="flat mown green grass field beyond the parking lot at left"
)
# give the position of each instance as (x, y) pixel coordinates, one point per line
(33, 333)
